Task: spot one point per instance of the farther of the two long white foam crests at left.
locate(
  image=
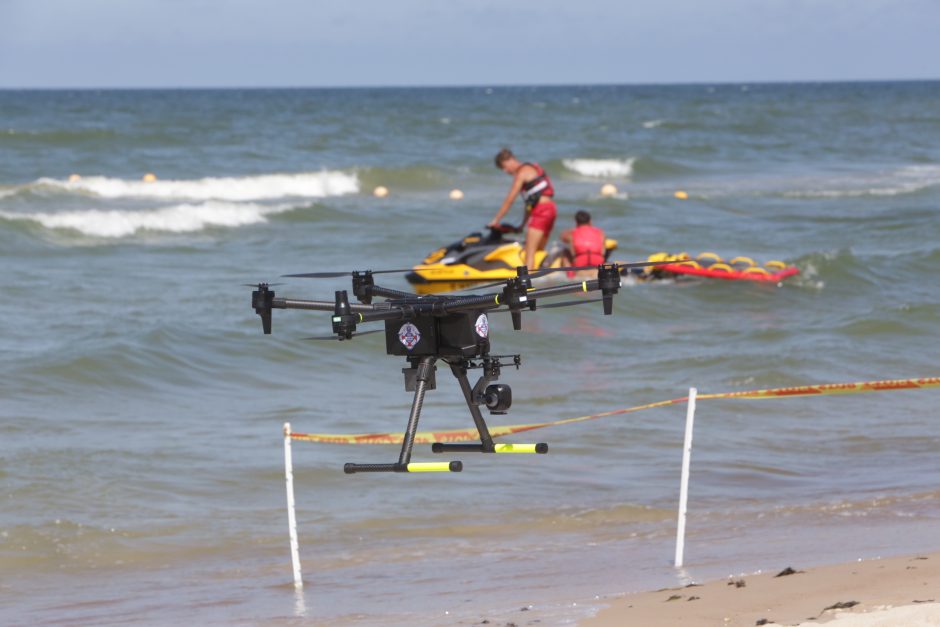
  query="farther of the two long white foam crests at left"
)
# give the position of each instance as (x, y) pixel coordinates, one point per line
(262, 187)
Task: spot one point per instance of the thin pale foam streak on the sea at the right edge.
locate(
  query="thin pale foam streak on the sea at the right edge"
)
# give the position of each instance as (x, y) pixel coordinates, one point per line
(906, 180)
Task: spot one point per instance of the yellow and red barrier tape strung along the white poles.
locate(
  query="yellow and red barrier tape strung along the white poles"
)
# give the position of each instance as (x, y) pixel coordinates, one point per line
(466, 435)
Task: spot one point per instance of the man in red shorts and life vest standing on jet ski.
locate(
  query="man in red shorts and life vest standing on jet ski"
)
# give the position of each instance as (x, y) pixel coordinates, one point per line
(531, 182)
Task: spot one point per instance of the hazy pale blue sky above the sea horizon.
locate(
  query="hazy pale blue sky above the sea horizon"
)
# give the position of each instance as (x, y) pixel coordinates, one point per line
(311, 43)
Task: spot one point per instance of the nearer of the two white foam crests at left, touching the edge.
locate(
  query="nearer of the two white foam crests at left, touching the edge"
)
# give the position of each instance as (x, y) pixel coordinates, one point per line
(184, 218)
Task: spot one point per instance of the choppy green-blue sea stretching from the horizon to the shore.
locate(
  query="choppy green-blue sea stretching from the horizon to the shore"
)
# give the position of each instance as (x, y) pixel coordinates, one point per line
(142, 475)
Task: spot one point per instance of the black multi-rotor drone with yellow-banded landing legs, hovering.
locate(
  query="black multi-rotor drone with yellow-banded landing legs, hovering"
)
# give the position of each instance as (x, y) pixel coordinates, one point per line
(453, 329)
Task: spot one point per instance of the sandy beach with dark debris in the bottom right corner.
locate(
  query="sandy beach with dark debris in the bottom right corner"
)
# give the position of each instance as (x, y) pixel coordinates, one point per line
(893, 591)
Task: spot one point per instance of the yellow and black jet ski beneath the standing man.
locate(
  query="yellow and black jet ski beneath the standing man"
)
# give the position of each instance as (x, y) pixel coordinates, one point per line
(490, 255)
